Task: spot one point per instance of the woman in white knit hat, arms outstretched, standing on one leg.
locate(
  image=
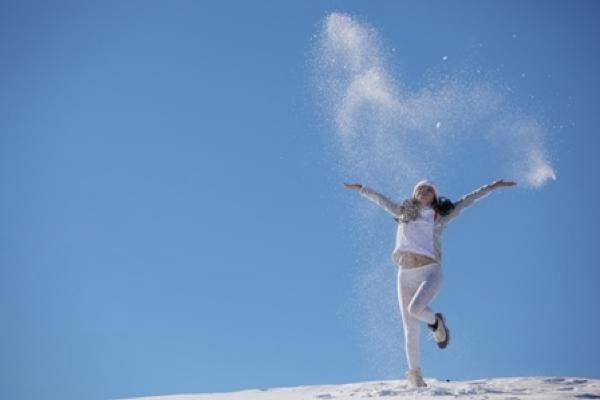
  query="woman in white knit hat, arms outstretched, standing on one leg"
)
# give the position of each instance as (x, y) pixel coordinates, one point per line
(418, 255)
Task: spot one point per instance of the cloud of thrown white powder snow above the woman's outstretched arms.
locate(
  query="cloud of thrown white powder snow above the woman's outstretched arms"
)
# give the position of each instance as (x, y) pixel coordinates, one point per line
(385, 133)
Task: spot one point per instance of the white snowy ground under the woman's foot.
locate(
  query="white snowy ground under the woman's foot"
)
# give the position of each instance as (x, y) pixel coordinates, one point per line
(497, 388)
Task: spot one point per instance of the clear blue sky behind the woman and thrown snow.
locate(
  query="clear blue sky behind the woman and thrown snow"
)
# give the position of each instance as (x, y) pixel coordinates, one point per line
(173, 220)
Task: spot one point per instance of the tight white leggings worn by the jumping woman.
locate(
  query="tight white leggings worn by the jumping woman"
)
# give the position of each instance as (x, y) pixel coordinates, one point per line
(417, 287)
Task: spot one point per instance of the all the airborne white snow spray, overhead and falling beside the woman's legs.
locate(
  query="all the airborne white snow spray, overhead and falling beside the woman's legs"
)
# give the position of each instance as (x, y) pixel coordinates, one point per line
(390, 136)
